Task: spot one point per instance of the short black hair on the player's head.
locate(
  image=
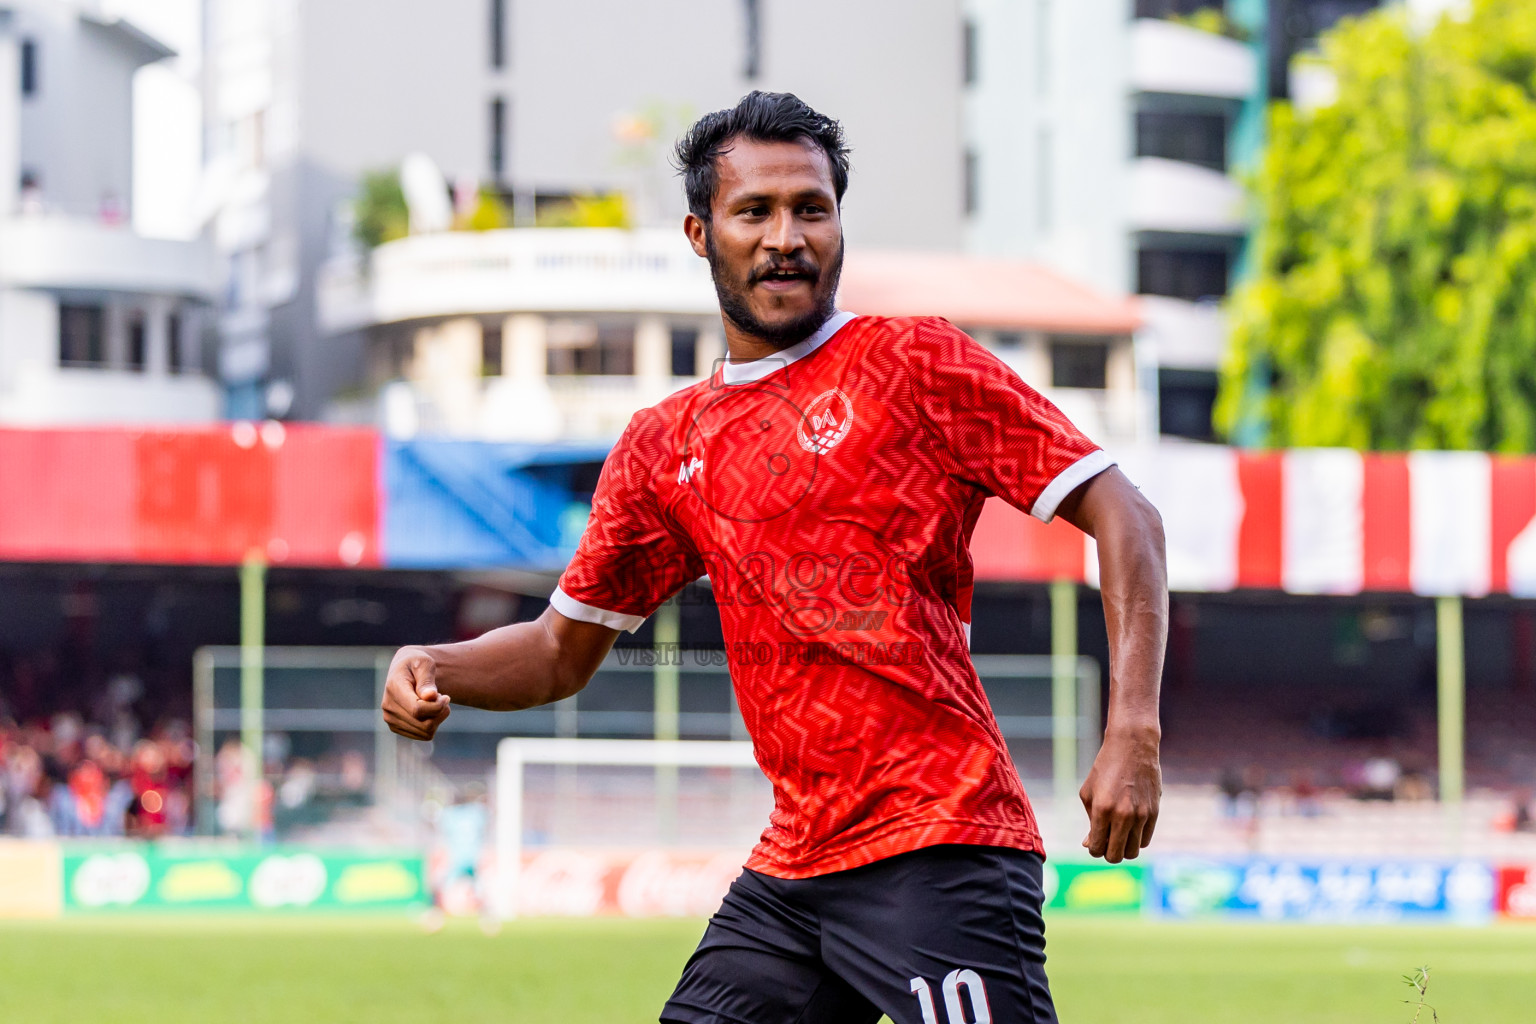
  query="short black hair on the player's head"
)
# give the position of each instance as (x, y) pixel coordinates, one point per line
(766, 117)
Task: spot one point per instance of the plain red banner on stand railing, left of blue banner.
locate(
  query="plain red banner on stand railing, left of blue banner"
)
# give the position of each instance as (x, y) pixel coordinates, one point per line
(300, 495)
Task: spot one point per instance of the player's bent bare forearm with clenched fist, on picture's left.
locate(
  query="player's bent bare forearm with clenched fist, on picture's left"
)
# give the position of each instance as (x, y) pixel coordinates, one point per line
(511, 669)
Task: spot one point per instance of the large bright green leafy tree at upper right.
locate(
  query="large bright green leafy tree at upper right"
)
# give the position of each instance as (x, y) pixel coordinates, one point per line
(1394, 294)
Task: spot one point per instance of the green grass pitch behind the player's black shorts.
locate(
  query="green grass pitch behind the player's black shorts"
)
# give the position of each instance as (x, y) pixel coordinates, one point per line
(385, 971)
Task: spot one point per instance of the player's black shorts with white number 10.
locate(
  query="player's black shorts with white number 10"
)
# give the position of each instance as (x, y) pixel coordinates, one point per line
(942, 936)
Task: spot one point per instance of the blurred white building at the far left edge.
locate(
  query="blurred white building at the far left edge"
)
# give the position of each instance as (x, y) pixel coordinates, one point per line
(98, 323)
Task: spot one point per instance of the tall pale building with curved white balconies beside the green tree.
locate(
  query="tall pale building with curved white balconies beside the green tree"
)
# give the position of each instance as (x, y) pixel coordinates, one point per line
(1108, 139)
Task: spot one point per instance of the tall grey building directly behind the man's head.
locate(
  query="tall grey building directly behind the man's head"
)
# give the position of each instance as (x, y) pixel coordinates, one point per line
(540, 102)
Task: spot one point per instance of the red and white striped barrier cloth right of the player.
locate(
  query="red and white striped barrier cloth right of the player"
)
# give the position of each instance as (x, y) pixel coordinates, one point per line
(1308, 521)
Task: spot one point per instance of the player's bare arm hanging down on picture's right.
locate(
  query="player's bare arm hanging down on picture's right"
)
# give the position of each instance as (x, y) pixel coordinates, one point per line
(1125, 787)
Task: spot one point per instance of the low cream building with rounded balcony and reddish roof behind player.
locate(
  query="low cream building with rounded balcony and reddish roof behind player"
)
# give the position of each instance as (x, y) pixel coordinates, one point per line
(545, 334)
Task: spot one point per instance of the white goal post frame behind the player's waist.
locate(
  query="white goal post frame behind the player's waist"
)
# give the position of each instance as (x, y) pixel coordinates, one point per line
(514, 756)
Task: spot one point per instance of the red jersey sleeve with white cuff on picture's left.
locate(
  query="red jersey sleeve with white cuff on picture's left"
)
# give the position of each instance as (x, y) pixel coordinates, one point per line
(631, 558)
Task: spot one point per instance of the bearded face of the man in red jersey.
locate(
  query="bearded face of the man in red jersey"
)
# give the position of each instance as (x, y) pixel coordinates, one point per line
(775, 242)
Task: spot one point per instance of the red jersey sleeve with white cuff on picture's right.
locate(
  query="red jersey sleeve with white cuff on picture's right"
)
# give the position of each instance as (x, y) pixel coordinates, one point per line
(991, 428)
